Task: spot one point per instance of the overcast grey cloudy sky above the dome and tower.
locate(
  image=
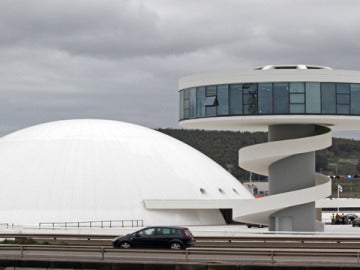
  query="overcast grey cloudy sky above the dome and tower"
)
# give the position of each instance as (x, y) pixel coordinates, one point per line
(121, 60)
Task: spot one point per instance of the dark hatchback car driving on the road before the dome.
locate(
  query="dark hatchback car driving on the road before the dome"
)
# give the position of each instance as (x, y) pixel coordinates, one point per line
(156, 237)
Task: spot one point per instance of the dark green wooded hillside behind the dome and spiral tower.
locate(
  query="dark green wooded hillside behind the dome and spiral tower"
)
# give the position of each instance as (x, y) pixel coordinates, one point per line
(342, 158)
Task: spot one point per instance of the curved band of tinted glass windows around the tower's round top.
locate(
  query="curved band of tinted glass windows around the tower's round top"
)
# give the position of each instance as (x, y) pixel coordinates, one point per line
(270, 98)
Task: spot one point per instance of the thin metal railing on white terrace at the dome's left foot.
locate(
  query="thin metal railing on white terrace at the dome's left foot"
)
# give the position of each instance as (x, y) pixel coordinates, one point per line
(93, 224)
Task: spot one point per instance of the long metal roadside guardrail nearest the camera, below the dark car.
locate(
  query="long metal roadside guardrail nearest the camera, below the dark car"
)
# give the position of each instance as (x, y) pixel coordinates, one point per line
(205, 256)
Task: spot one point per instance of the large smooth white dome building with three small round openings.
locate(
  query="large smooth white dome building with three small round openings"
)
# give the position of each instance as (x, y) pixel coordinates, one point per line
(90, 170)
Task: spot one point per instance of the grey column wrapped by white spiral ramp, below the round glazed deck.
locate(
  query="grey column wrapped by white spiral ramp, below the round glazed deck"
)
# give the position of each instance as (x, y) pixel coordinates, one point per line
(289, 161)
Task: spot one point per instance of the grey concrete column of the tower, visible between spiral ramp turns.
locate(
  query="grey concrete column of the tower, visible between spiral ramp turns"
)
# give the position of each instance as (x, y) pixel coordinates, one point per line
(289, 174)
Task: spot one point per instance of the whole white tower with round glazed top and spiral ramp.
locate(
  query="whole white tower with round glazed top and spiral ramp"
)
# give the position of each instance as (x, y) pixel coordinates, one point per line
(299, 106)
